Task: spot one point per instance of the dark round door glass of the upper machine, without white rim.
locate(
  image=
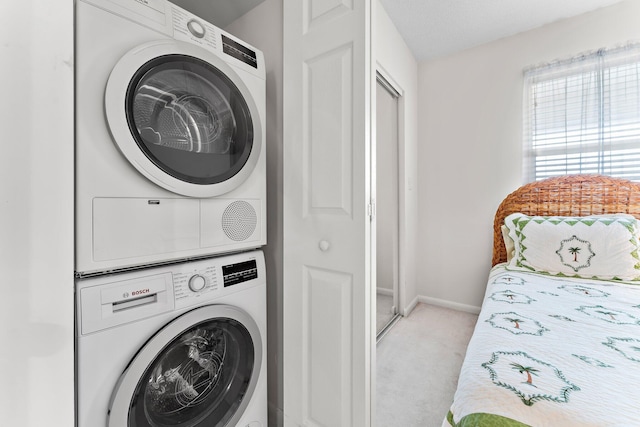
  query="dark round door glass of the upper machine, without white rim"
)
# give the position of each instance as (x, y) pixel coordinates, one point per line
(189, 119)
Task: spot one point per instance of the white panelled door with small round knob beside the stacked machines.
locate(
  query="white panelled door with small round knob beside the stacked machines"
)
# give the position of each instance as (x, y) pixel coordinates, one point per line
(328, 323)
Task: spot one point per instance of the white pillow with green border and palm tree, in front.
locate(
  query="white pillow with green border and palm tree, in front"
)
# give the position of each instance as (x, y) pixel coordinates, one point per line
(593, 247)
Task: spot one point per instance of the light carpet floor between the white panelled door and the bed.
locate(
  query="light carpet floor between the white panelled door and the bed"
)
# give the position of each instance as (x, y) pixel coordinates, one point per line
(418, 363)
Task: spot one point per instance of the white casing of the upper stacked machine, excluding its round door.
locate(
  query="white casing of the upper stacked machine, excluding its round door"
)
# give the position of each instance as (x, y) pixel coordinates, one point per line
(113, 231)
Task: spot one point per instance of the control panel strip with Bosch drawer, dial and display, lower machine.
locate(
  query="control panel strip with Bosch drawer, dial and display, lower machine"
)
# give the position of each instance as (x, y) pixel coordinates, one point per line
(112, 300)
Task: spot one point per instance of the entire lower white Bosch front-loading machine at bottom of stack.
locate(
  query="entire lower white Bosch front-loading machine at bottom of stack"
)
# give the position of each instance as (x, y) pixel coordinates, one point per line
(175, 345)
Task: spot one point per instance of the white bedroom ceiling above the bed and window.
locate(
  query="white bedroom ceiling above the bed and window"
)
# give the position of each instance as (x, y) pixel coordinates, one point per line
(435, 28)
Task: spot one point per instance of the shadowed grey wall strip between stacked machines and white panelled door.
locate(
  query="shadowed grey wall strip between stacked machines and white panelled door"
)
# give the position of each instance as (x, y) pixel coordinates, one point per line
(262, 27)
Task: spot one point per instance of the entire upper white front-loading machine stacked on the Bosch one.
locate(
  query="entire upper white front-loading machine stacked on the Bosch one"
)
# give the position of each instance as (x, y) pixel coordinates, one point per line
(170, 134)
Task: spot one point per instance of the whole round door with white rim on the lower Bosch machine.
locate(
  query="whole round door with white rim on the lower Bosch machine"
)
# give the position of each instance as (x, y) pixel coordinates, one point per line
(199, 370)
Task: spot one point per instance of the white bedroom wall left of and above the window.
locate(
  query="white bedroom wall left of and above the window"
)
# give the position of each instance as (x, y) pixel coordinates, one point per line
(470, 132)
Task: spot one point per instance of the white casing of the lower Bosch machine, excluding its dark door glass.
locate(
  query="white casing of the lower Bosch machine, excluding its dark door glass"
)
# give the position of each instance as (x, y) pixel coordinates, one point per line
(109, 347)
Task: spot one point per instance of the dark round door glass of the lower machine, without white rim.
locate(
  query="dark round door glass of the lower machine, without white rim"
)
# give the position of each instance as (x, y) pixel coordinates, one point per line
(201, 378)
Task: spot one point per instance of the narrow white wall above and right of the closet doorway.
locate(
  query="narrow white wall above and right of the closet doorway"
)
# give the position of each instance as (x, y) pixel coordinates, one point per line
(397, 64)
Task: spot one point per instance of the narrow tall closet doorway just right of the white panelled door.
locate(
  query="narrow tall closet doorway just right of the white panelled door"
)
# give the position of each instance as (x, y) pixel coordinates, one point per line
(387, 203)
